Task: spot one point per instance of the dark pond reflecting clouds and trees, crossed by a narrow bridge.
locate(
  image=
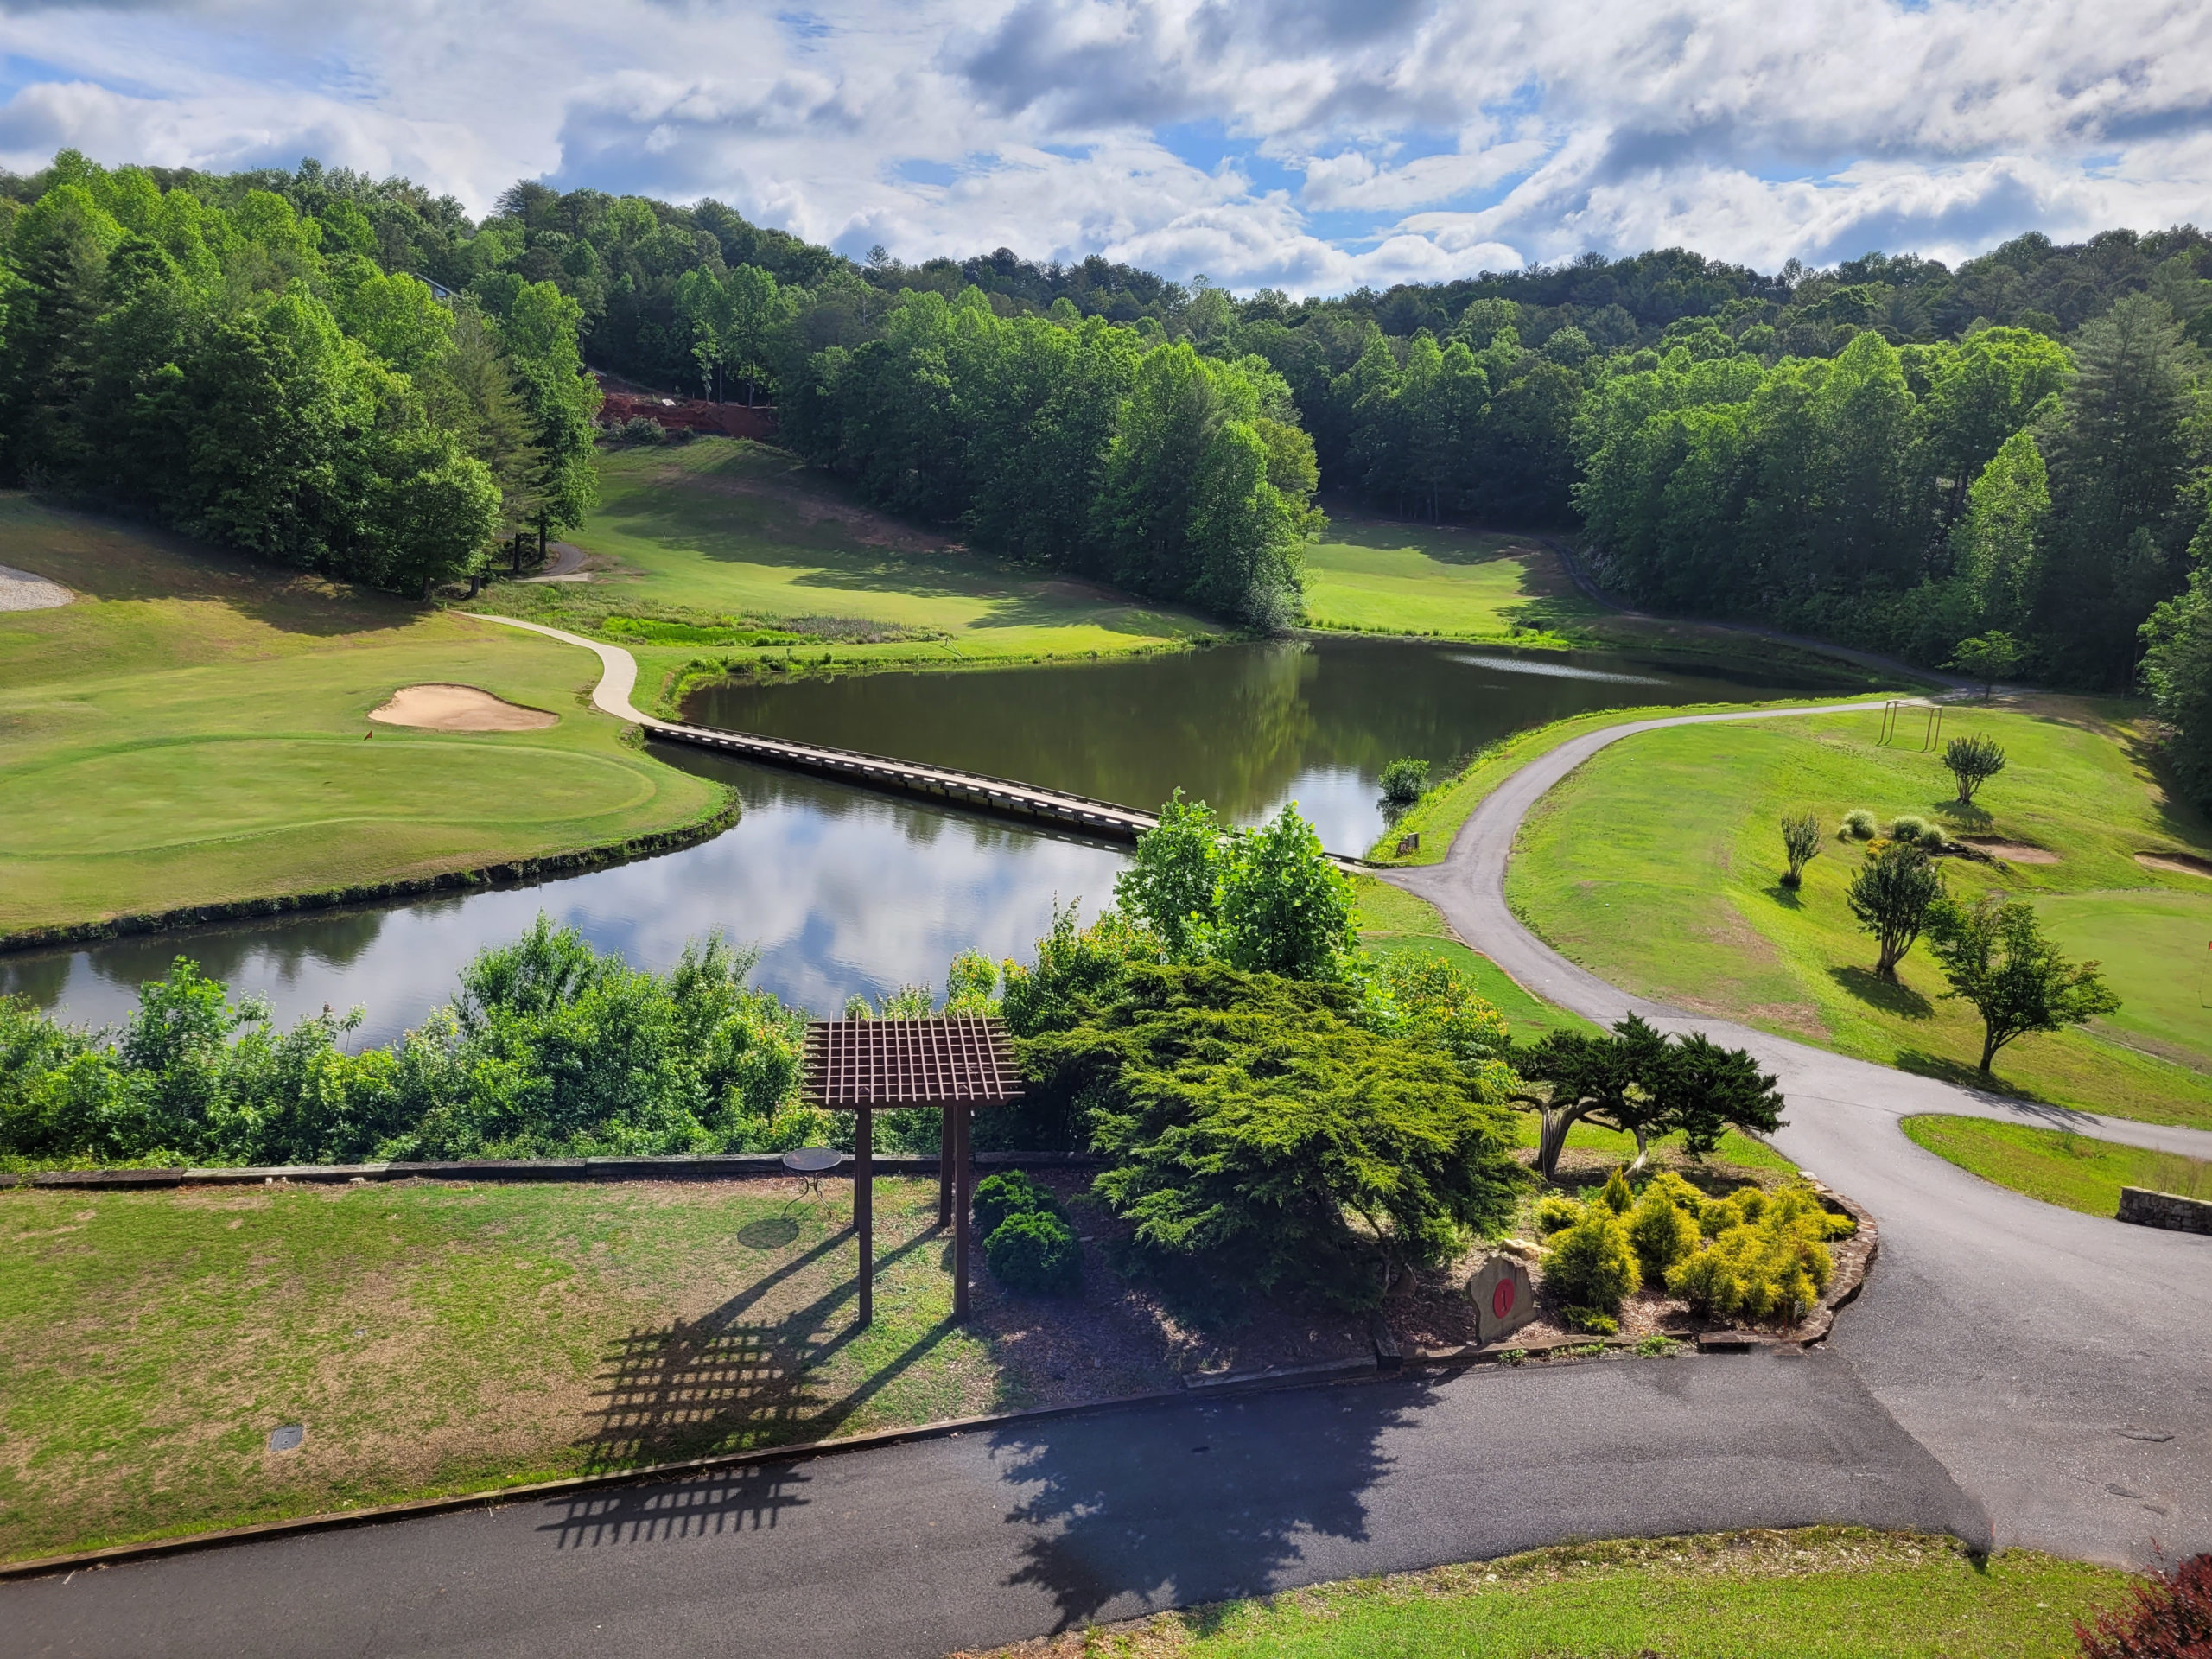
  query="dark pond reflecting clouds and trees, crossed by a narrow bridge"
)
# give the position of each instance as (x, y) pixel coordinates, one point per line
(846, 893)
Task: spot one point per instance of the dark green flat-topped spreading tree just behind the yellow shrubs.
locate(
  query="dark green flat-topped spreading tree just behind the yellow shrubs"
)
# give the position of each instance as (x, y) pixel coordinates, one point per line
(1642, 1083)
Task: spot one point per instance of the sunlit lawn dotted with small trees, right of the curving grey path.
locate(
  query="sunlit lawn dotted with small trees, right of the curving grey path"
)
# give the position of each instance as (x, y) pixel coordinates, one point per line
(1658, 866)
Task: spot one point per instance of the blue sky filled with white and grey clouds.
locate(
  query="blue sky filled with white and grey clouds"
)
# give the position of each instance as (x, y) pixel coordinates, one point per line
(1306, 147)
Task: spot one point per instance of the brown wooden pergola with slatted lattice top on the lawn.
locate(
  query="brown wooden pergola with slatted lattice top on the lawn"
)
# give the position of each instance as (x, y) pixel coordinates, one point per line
(952, 1063)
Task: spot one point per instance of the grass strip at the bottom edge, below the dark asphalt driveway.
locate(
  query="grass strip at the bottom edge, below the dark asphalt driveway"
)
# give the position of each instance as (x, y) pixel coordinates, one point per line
(1817, 1594)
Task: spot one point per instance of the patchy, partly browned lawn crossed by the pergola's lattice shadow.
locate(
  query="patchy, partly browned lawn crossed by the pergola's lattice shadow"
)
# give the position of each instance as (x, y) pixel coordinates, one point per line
(441, 1339)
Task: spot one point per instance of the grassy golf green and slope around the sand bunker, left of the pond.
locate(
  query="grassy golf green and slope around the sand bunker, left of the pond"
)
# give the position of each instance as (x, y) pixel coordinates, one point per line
(191, 733)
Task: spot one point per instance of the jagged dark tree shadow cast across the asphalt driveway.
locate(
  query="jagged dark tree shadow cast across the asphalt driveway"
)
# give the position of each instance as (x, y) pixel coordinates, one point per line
(1196, 1503)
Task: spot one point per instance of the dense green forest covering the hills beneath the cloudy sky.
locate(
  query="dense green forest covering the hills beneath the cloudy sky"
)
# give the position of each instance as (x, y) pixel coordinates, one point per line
(2001, 468)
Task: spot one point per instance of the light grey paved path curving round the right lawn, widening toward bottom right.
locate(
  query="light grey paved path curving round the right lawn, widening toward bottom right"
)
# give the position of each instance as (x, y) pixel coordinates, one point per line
(2060, 1366)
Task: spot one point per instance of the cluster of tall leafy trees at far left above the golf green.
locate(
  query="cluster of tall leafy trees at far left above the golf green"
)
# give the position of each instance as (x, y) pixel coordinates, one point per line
(255, 377)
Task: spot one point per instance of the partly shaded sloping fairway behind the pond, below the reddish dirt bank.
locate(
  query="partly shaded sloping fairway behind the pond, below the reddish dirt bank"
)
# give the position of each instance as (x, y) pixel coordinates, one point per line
(724, 528)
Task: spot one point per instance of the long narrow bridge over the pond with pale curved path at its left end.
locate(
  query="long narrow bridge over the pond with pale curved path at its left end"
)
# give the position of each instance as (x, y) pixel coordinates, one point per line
(977, 791)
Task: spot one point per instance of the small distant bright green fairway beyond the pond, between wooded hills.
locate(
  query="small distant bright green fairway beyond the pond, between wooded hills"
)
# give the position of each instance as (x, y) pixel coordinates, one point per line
(1377, 576)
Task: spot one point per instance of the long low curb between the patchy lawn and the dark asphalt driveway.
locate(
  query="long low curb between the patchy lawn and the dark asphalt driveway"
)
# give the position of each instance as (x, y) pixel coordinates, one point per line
(693, 1468)
